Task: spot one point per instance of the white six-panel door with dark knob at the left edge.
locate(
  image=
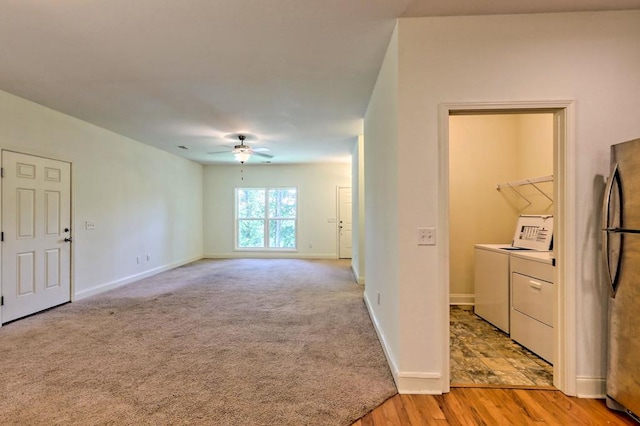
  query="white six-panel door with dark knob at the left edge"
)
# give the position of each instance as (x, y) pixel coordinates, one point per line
(36, 223)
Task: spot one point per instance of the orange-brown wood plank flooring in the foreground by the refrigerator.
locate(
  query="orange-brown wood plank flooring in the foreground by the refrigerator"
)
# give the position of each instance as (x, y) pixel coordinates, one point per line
(492, 406)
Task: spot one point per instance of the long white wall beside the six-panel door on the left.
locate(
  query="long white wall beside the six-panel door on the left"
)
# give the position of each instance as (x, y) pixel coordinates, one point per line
(142, 200)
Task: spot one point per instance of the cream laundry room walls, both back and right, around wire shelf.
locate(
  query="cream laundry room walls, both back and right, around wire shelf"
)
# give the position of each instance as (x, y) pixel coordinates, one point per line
(484, 151)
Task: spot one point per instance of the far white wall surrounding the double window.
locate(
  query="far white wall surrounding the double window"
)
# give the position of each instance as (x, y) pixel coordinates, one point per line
(317, 203)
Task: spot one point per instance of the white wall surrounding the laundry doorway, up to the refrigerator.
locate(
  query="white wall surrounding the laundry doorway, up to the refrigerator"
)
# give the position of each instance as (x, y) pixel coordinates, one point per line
(591, 58)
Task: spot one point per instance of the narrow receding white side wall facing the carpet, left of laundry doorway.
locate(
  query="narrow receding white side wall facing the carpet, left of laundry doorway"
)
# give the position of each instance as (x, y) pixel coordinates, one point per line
(381, 205)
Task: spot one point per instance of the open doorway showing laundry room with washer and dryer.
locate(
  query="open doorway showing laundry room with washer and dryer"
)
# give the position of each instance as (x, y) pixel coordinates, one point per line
(501, 169)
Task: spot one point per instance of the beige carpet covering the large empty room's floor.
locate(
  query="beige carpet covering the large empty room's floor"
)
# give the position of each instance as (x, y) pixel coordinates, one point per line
(217, 342)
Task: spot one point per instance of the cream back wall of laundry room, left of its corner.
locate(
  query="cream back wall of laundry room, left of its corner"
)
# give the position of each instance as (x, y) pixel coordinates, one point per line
(482, 153)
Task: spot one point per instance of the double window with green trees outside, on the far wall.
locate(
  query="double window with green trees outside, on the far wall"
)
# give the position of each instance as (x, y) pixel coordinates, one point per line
(266, 218)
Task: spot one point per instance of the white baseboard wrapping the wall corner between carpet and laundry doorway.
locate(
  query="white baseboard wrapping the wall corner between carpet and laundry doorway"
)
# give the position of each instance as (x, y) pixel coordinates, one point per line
(407, 382)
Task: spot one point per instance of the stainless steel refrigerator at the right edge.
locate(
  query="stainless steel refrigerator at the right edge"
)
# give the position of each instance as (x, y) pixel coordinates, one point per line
(621, 248)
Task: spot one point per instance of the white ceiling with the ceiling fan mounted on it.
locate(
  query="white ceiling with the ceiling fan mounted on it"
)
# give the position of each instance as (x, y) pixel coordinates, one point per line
(295, 74)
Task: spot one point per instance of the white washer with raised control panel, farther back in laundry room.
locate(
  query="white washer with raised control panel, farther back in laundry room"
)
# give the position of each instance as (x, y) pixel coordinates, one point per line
(492, 270)
